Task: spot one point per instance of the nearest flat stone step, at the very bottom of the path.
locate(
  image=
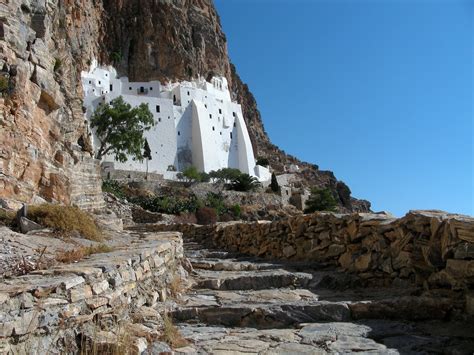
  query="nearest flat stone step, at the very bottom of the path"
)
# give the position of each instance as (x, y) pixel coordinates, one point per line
(379, 336)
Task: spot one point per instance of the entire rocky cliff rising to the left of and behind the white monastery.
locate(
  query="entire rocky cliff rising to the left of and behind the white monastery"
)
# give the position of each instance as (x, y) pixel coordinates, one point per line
(44, 47)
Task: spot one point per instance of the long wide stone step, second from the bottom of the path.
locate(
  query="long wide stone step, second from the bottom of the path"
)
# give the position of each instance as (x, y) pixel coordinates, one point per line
(286, 307)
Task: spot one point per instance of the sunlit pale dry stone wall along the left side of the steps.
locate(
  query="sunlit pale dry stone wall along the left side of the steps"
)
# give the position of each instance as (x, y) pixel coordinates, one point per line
(47, 309)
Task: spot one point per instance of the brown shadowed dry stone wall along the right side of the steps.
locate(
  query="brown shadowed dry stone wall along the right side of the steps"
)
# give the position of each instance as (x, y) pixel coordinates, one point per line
(433, 249)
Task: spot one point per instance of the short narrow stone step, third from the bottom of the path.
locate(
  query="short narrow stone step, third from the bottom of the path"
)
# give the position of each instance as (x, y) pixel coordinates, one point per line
(250, 280)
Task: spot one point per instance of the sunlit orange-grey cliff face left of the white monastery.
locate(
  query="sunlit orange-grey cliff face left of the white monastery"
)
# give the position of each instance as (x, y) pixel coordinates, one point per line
(43, 46)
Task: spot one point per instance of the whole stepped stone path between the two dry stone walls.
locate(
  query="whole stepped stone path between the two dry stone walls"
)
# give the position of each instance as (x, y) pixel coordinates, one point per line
(246, 306)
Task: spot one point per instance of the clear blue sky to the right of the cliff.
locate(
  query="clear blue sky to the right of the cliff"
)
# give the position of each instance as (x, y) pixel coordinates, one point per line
(380, 92)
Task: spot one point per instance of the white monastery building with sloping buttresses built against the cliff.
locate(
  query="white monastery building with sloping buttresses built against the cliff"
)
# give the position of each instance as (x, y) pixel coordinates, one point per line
(196, 123)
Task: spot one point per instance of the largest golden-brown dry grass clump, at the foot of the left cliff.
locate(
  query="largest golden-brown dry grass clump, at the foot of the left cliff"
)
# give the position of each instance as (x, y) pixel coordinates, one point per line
(65, 220)
